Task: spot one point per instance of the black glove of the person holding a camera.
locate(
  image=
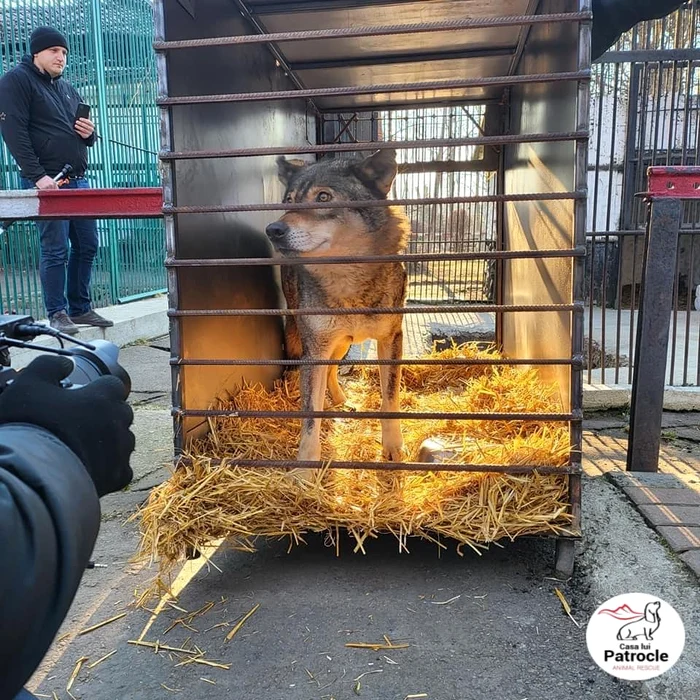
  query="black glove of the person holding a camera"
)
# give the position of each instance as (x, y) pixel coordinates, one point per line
(93, 420)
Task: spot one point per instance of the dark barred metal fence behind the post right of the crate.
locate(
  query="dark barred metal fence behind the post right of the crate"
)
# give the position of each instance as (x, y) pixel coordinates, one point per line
(644, 112)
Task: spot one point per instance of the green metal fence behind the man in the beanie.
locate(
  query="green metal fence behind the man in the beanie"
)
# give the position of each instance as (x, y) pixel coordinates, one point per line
(112, 65)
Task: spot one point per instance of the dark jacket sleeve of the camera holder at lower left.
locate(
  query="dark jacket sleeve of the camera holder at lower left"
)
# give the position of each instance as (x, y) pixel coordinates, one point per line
(49, 519)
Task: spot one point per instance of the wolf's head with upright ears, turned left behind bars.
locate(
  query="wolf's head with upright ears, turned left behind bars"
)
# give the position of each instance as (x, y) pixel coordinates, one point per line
(339, 231)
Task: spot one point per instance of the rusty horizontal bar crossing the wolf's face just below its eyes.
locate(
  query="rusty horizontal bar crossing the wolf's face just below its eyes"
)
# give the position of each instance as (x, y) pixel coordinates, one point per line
(375, 203)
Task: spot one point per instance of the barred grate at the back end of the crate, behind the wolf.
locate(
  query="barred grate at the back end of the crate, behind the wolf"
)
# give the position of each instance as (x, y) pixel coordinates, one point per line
(436, 172)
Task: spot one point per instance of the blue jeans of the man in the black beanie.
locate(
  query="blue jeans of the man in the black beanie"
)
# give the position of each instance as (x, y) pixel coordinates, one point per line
(55, 236)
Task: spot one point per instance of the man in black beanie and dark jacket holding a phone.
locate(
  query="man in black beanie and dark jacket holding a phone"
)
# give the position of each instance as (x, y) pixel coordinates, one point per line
(38, 124)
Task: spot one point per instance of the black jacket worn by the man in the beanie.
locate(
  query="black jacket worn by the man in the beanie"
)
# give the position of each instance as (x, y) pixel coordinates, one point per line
(37, 116)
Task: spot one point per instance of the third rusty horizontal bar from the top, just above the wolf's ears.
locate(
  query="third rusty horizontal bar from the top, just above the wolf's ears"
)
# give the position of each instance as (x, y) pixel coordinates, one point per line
(376, 146)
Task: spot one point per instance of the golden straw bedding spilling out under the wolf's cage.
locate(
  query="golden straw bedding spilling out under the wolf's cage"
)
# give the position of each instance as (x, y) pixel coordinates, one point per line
(202, 503)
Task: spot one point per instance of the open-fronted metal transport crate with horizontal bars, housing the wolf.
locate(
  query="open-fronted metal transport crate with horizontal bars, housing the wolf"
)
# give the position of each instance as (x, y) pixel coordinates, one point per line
(242, 82)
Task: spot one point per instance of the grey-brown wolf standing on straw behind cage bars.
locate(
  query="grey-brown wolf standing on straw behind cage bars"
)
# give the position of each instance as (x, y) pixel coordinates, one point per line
(351, 231)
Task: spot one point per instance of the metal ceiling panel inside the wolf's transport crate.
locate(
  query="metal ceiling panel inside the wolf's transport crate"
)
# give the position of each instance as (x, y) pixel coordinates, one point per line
(405, 58)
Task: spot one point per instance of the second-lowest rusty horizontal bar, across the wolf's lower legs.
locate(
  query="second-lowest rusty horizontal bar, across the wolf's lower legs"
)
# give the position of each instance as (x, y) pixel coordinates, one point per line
(363, 415)
